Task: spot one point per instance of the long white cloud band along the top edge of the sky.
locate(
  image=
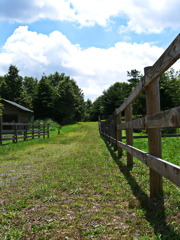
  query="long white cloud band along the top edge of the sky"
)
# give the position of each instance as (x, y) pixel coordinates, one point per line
(142, 16)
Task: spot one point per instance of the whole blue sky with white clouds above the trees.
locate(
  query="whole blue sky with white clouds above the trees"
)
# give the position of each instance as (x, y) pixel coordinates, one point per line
(94, 41)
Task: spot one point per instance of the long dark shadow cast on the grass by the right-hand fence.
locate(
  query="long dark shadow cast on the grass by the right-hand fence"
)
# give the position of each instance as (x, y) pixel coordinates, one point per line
(154, 208)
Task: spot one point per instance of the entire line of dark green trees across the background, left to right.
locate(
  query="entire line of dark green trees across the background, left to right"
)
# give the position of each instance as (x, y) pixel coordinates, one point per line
(58, 97)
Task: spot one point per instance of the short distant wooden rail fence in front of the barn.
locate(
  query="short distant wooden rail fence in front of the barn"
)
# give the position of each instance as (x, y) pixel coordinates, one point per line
(13, 132)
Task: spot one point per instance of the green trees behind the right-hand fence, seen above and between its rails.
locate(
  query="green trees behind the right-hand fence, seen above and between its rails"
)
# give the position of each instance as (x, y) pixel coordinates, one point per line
(114, 96)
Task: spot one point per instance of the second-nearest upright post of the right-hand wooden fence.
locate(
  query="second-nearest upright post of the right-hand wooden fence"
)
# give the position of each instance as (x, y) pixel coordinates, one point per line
(129, 133)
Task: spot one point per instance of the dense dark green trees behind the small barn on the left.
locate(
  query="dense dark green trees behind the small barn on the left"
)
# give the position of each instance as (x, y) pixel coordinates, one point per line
(55, 96)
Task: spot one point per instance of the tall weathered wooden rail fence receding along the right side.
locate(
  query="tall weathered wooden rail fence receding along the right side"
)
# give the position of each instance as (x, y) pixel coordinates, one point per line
(154, 120)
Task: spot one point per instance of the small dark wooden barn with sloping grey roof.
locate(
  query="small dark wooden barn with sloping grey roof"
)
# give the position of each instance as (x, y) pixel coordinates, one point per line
(13, 112)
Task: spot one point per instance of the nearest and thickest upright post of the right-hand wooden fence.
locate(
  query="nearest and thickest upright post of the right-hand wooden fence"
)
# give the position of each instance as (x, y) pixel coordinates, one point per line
(154, 134)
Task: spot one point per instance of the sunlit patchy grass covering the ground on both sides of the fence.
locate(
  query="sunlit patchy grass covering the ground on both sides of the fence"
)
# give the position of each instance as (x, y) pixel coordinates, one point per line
(73, 186)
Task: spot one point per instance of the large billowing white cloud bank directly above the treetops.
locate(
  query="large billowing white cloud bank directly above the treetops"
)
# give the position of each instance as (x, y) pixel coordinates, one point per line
(94, 69)
